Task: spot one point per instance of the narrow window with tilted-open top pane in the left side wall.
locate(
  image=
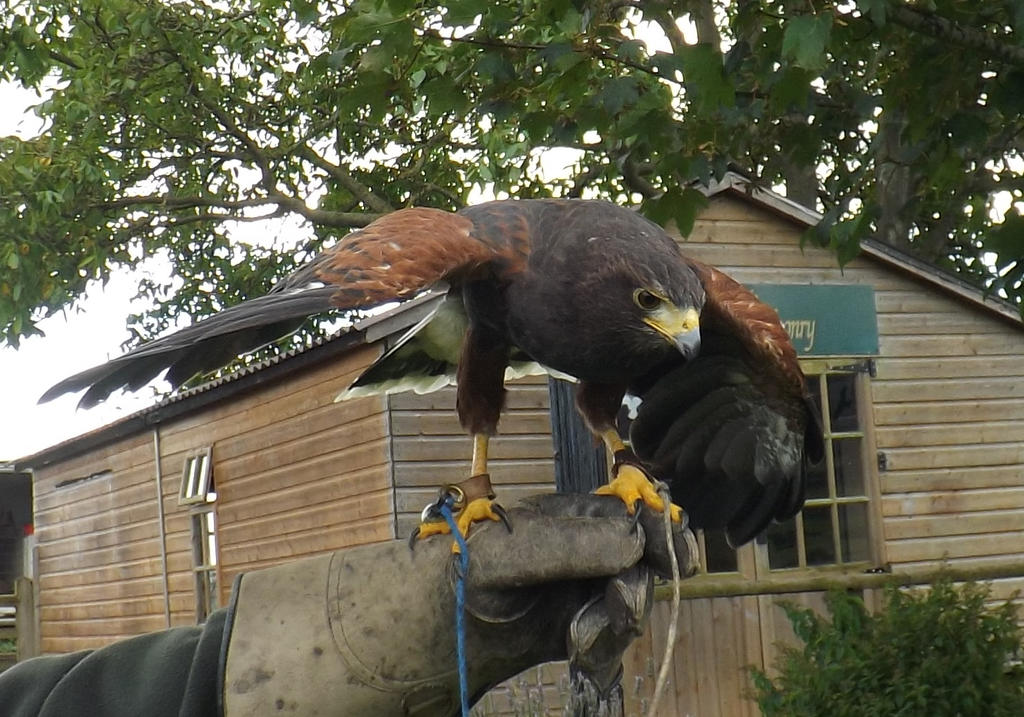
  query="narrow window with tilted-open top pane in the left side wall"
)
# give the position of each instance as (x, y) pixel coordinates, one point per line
(199, 492)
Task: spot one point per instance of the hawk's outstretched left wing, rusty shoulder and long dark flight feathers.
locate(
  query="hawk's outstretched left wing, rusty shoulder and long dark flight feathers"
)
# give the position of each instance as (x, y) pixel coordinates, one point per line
(394, 259)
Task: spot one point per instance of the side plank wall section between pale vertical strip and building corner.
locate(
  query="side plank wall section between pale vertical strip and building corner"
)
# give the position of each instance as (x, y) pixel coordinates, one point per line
(296, 475)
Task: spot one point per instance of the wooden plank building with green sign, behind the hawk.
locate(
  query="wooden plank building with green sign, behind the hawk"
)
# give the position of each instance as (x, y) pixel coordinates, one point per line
(145, 524)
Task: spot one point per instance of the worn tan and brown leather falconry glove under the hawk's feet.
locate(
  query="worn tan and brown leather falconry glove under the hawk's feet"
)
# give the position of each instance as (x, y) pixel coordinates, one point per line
(370, 631)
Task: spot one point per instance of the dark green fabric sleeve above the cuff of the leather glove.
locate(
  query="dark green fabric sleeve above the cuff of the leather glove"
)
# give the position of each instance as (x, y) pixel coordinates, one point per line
(163, 674)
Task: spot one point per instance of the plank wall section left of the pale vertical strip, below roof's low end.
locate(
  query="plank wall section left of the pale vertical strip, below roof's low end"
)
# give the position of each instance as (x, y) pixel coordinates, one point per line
(99, 547)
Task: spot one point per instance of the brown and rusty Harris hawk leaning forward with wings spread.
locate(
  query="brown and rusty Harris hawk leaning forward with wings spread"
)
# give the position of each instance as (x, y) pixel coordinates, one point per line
(583, 288)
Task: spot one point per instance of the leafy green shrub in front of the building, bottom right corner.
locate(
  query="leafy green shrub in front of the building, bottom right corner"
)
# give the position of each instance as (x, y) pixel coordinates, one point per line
(937, 653)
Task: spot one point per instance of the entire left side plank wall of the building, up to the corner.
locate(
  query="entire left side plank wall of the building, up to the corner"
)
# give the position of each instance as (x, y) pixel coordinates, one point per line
(295, 473)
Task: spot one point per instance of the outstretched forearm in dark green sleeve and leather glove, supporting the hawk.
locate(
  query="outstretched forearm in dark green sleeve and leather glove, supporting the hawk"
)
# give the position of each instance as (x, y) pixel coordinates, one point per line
(371, 630)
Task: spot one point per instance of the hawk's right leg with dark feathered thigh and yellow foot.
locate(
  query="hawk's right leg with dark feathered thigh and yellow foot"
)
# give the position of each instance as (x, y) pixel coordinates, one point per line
(599, 404)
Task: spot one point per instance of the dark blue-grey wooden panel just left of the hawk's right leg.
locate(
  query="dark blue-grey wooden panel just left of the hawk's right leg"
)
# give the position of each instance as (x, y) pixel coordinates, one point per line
(580, 461)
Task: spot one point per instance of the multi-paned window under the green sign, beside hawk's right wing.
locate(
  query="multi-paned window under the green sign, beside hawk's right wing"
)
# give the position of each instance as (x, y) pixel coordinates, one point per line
(834, 528)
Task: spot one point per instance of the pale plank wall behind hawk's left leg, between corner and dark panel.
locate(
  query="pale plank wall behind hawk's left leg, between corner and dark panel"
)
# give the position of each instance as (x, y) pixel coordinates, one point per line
(431, 448)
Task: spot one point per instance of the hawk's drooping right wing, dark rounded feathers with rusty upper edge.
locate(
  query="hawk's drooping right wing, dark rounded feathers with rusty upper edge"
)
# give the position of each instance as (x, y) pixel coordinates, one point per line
(734, 432)
